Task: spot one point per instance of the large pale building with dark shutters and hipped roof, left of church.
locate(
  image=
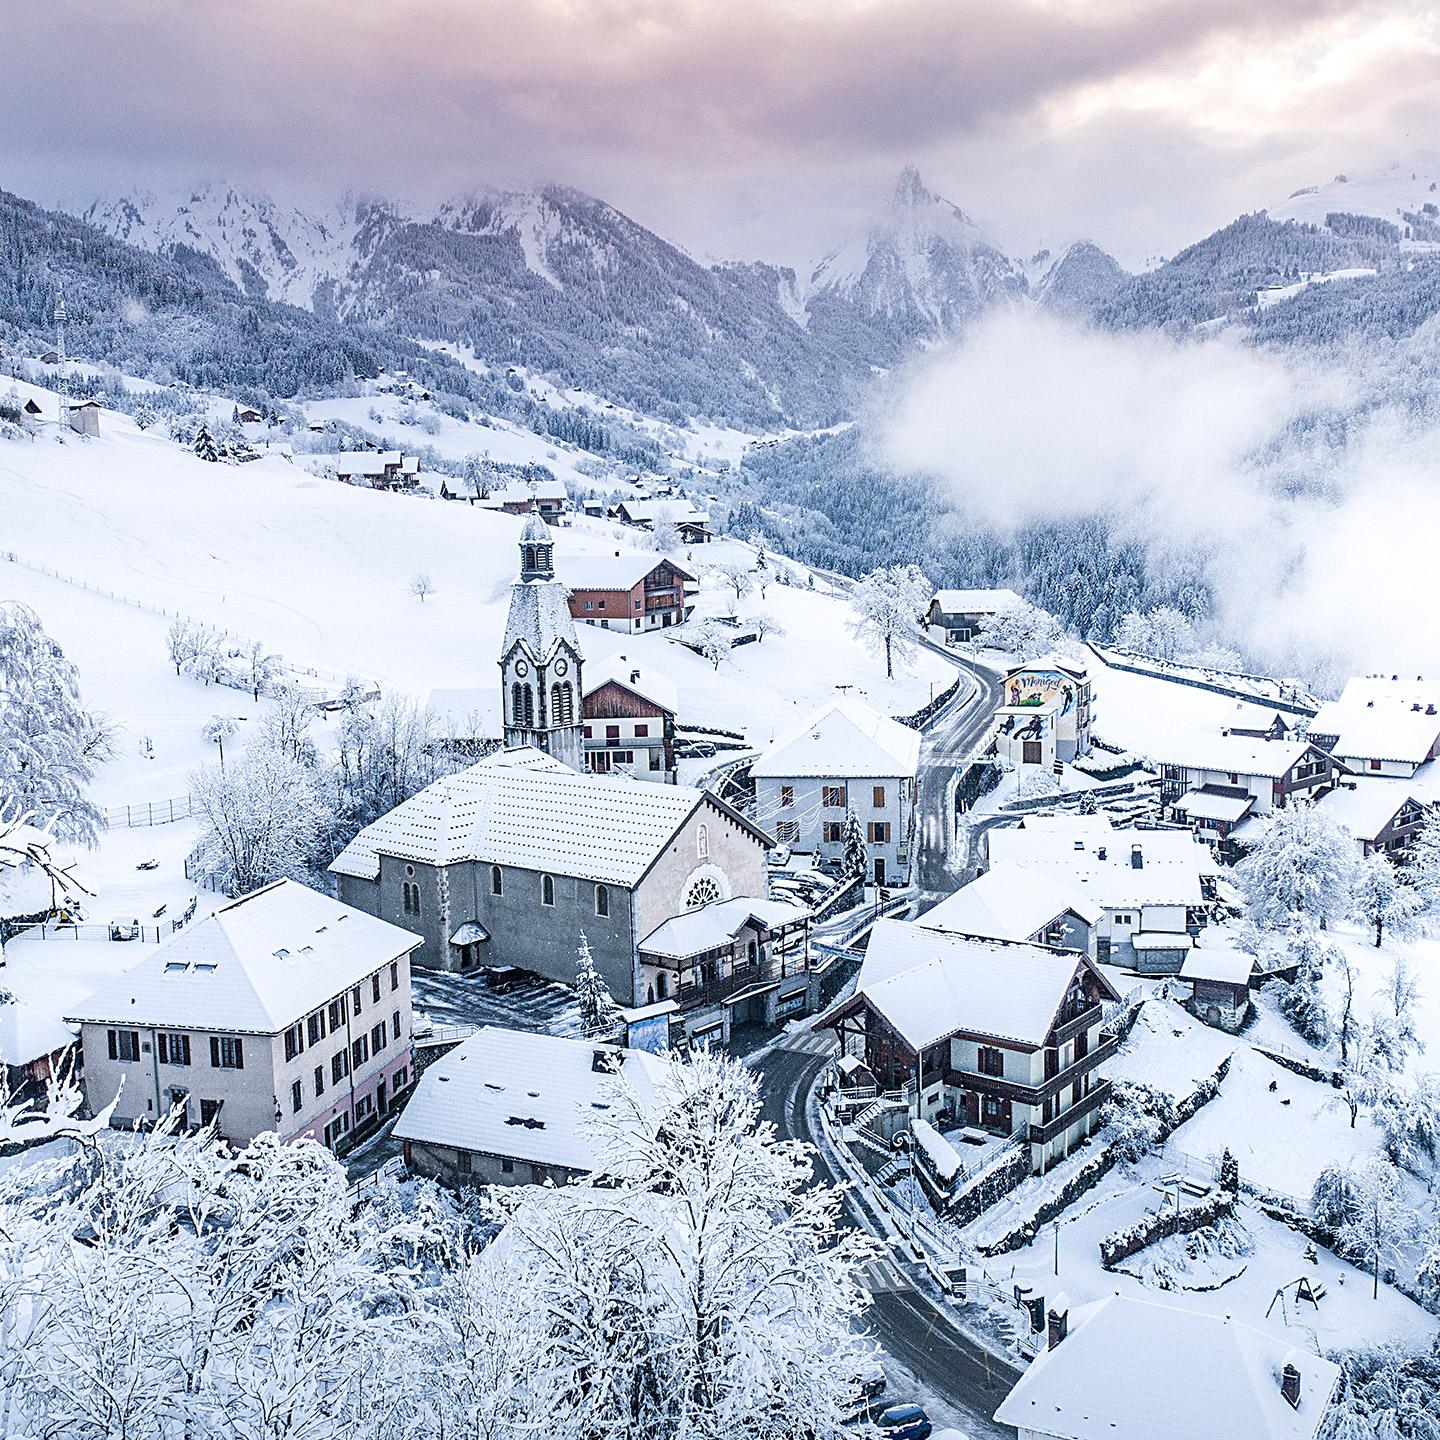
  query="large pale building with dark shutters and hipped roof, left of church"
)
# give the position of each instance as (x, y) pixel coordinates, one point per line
(283, 1012)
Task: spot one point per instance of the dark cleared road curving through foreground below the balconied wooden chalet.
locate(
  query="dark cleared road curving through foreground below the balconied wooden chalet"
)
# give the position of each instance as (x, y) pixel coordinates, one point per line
(908, 1324)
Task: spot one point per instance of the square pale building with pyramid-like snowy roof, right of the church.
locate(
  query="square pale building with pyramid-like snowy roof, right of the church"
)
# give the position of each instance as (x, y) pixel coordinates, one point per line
(847, 757)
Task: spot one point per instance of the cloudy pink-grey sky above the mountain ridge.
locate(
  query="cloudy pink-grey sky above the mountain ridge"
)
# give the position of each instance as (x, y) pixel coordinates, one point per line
(735, 127)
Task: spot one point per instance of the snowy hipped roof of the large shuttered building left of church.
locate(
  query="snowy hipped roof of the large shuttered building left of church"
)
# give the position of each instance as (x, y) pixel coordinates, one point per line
(257, 966)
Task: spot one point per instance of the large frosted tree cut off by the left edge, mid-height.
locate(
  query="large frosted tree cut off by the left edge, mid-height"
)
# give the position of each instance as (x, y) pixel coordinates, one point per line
(50, 742)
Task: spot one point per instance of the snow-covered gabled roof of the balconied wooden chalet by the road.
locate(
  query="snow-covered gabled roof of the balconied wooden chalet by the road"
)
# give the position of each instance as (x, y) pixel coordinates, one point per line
(932, 984)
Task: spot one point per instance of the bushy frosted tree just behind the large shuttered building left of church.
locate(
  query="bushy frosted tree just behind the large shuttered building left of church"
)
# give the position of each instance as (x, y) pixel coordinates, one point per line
(263, 817)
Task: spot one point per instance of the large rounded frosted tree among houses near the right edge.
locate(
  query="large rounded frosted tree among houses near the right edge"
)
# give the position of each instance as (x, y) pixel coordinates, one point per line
(1301, 868)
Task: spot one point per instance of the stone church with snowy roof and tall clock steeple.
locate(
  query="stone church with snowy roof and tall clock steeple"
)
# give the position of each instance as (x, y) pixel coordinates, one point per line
(512, 860)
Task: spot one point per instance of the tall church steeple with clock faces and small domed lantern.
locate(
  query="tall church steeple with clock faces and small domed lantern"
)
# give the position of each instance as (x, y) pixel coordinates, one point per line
(541, 659)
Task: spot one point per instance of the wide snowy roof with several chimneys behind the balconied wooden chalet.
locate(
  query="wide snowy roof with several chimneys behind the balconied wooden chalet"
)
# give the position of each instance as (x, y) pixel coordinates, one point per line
(1101, 862)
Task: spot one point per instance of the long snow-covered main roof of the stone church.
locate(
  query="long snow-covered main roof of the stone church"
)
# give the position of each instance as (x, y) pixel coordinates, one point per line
(541, 817)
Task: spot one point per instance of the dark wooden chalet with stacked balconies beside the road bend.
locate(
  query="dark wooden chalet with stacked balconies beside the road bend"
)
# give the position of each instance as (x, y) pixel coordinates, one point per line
(986, 1035)
